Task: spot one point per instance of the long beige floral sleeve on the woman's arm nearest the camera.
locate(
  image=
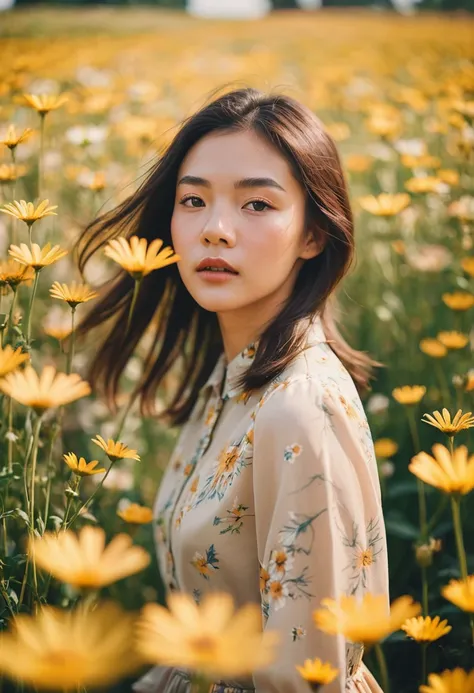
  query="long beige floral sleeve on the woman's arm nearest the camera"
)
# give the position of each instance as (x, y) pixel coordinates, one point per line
(319, 521)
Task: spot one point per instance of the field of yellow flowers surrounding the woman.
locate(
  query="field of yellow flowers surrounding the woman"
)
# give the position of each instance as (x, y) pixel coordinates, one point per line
(88, 99)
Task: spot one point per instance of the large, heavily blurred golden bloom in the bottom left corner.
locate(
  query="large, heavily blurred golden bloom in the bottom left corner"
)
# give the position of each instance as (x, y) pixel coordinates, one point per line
(65, 650)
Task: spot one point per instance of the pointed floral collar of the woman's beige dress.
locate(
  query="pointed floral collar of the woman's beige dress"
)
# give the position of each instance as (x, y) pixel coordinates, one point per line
(226, 376)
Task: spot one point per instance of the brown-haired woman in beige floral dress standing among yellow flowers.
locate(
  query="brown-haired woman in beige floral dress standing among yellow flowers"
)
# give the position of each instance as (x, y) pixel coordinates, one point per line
(272, 492)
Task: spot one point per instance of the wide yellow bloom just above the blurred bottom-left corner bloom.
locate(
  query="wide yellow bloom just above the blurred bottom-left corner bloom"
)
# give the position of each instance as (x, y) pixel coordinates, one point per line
(83, 560)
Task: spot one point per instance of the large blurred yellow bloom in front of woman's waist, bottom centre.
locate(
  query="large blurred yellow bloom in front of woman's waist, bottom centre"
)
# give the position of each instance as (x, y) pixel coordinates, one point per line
(204, 637)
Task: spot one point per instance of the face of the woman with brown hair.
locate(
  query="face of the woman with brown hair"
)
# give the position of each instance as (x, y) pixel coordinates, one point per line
(236, 199)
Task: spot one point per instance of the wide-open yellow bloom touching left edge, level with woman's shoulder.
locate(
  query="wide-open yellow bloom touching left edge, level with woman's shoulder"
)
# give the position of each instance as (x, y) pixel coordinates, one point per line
(45, 391)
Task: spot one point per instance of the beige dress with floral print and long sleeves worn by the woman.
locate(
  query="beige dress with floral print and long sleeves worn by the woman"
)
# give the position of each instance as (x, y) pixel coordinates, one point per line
(274, 497)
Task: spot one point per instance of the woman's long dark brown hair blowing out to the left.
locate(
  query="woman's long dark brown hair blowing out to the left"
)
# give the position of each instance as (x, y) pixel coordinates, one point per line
(185, 332)
